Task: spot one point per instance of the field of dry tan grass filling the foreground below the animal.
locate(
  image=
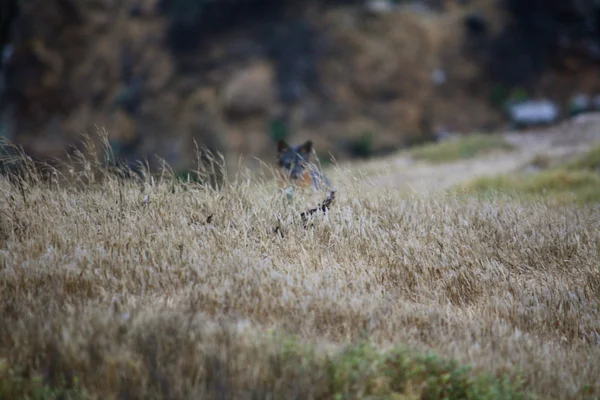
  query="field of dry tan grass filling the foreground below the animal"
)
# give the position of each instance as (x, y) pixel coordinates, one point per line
(112, 288)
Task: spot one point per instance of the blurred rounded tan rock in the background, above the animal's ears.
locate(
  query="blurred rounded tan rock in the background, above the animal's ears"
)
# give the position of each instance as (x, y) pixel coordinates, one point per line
(250, 91)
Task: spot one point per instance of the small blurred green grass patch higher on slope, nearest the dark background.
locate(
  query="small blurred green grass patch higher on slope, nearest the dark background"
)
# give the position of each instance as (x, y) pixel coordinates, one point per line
(460, 148)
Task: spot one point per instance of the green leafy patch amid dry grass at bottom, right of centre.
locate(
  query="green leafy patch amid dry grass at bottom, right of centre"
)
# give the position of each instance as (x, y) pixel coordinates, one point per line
(360, 371)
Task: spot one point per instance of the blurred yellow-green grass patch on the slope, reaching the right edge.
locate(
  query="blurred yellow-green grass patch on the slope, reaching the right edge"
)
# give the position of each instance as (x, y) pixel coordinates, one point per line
(560, 186)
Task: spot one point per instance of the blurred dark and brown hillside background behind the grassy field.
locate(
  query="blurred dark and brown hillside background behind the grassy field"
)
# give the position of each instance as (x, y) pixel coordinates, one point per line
(359, 78)
